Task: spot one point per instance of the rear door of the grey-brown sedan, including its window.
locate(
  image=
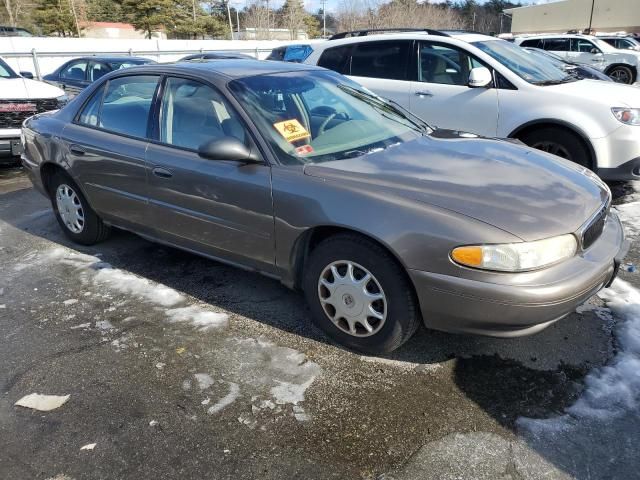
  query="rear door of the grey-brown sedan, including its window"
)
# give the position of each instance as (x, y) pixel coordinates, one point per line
(106, 147)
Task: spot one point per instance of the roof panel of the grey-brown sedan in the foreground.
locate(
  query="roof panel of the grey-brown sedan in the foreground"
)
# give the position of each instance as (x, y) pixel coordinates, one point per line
(232, 68)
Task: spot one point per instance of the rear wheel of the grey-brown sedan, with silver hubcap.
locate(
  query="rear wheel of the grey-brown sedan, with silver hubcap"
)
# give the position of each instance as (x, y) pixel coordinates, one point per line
(78, 220)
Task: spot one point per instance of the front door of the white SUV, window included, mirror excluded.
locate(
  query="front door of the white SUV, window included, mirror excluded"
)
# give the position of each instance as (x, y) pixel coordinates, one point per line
(441, 95)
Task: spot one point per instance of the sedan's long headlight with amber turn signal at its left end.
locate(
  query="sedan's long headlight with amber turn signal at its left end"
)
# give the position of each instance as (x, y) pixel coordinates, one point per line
(516, 257)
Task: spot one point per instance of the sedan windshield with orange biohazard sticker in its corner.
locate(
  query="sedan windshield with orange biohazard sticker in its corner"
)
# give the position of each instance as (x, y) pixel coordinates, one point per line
(312, 117)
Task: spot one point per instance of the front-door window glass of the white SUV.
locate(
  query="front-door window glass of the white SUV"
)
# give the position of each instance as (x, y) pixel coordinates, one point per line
(443, 64)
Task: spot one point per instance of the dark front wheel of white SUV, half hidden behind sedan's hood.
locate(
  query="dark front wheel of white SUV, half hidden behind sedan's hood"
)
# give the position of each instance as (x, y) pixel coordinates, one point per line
(560, 142)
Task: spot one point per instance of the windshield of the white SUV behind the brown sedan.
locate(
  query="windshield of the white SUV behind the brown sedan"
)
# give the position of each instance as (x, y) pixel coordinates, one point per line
(522, 63)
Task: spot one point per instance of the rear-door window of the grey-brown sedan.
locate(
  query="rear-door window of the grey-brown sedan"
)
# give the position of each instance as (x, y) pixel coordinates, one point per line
(122, 106)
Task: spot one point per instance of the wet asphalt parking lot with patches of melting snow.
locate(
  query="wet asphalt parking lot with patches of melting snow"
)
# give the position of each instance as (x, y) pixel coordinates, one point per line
(181, 367)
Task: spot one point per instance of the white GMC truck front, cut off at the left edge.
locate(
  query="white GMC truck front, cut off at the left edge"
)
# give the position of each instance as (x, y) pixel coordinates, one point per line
(20, 98)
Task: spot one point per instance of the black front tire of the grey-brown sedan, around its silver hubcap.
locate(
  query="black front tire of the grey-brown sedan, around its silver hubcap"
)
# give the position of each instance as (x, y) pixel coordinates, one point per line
(388, 278)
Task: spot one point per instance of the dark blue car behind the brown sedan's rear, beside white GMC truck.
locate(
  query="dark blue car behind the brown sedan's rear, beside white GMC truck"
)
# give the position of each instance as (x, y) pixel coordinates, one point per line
(75, 75)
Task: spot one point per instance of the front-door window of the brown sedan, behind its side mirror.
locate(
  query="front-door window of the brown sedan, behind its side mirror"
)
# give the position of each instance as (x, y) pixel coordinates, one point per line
(193, 114)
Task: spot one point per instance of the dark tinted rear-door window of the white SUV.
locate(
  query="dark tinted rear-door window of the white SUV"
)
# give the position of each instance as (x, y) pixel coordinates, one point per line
(381, 60)
